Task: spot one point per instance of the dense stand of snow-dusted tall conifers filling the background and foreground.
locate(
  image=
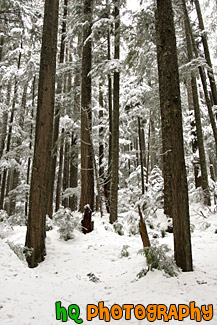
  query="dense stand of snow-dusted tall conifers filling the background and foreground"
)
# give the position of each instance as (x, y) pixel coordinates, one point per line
(98, 116)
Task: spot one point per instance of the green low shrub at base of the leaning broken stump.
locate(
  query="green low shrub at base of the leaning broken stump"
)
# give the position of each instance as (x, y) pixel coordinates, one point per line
(157, 258)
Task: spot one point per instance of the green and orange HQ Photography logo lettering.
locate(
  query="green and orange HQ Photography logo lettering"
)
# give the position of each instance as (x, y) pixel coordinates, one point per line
(151, 312)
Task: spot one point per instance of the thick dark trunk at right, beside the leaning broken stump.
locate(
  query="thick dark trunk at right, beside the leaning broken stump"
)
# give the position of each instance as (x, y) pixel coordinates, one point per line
(171, 115)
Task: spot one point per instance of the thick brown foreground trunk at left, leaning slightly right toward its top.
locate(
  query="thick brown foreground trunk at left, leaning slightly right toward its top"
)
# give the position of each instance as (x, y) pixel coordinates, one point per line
(35, 236)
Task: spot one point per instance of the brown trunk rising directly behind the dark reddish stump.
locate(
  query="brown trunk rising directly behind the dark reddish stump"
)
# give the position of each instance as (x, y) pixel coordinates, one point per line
(87, 172)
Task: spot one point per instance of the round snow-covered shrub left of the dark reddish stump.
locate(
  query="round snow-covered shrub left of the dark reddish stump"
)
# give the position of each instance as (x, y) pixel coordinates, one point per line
(67, 223)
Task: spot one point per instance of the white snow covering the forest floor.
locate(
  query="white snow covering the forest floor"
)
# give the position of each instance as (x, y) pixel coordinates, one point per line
(28, 296)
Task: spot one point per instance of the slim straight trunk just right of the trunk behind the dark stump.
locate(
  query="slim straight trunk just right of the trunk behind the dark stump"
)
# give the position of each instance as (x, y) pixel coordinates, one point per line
(115, 120)
